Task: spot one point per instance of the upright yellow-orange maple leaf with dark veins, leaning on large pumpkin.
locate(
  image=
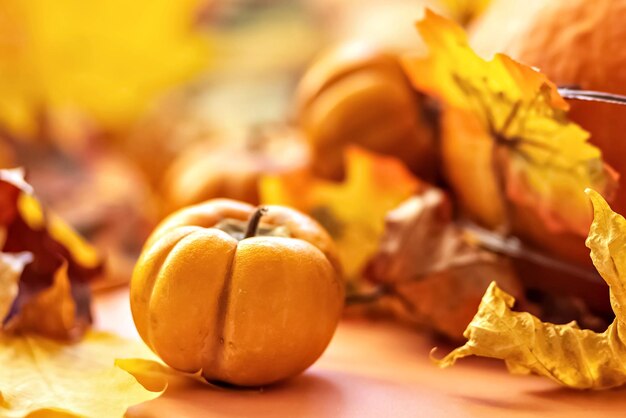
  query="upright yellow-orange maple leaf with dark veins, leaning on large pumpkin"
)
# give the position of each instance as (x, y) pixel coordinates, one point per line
(515, 116)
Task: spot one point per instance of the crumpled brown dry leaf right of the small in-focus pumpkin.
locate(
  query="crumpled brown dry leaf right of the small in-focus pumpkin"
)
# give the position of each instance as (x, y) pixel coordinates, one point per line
(436, 271)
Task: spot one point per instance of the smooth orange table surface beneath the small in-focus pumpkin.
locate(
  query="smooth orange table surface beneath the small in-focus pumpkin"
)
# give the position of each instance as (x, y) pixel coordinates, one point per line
(372, 369)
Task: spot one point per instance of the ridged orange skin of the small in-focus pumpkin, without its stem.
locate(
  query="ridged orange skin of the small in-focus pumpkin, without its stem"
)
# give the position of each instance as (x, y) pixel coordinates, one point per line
(248, 312)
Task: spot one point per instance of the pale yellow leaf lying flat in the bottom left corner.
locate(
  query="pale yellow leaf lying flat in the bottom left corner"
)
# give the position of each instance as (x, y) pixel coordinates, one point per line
(80, 380)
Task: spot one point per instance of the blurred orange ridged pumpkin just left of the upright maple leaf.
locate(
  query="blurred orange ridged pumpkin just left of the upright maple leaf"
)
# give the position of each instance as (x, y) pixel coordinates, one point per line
(358, 94)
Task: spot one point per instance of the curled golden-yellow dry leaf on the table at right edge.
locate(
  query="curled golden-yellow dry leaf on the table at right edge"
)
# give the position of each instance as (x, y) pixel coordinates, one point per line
(569, 355)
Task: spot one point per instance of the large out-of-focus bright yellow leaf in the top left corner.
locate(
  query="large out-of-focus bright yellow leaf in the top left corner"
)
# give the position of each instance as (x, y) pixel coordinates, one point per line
(105, 58)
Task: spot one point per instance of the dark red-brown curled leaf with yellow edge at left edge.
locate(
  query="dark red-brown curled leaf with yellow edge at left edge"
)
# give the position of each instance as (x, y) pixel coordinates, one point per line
(54, 283)
